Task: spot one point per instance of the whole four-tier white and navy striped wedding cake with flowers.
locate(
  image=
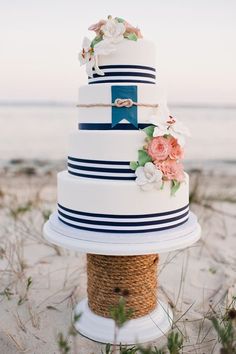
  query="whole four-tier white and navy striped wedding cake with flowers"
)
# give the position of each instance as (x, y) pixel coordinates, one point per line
(125, 172)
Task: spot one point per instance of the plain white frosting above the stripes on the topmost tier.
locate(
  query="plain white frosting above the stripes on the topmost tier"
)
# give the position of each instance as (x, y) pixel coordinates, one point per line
(140, 52)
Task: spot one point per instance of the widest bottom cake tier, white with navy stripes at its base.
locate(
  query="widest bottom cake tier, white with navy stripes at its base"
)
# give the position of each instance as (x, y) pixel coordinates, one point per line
(120, 206)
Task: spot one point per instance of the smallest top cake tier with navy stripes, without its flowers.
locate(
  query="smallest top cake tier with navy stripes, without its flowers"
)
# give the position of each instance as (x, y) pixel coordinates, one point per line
(130, 62)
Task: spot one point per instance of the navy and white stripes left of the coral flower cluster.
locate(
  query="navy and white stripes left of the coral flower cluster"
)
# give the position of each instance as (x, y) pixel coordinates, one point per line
(100, 169)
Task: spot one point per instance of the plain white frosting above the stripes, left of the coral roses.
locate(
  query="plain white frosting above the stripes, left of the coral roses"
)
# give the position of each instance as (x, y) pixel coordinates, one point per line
(106, 145)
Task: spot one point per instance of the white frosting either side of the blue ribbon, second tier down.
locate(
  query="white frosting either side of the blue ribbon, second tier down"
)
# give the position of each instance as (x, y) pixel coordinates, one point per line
(92, 94)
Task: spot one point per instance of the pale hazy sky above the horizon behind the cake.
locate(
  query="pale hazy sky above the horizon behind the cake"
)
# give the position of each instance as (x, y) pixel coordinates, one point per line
(195, 41)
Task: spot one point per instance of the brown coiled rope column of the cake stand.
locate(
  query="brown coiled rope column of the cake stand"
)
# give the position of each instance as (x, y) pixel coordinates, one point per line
(133, 277)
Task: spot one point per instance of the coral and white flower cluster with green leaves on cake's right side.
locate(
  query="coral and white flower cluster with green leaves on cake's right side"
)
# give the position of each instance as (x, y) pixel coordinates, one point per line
(160, 159)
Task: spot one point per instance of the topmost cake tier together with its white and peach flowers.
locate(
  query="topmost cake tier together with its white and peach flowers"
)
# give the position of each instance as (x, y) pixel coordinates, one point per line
(118, 54)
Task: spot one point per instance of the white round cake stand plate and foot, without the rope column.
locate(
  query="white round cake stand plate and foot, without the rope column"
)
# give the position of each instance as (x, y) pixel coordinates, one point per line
(142, 329)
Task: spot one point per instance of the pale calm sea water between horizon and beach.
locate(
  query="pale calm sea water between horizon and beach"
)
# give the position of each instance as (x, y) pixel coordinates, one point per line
(41, 131)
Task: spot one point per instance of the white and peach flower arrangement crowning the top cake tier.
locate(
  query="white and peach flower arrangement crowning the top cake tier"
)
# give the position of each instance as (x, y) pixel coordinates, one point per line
(108, 32)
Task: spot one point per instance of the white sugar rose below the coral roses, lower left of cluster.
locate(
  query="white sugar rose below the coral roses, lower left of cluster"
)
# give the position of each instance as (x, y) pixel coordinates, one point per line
(148, 177)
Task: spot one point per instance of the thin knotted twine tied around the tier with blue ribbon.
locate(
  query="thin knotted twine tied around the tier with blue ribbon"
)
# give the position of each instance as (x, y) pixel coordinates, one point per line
(119, 102)
